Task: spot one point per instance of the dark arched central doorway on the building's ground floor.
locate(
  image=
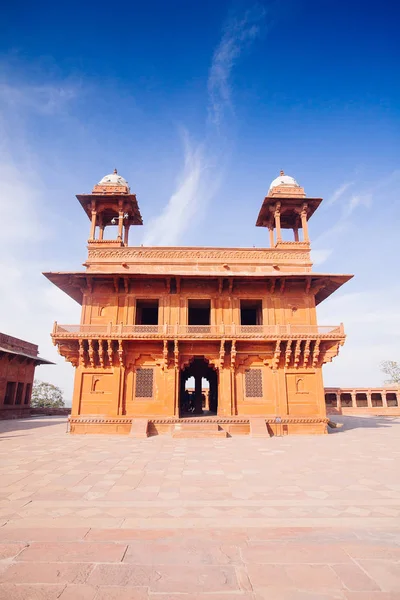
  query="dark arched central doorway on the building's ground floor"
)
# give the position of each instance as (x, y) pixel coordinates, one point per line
(192, 398)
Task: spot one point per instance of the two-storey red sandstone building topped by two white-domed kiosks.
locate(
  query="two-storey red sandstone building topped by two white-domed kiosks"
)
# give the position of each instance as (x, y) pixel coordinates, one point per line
(154, 318)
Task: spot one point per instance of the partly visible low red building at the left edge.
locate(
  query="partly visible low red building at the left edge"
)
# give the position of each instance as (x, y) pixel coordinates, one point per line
(18, 360)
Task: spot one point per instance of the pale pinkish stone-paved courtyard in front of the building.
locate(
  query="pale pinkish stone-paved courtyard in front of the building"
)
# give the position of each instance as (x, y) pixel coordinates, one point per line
(106, 517)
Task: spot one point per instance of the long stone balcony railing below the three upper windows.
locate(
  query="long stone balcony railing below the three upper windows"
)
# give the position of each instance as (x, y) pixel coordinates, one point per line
(249, 332)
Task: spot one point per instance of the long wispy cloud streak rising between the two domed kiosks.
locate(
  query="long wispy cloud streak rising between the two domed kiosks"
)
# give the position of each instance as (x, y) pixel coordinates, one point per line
(200, 178)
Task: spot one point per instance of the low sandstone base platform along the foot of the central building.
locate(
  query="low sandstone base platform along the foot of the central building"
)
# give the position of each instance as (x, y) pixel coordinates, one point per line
(199, 426)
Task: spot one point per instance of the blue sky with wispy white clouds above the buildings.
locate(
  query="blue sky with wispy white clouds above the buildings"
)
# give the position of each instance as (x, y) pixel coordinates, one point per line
(199, 105)
